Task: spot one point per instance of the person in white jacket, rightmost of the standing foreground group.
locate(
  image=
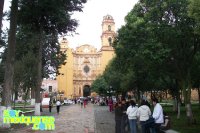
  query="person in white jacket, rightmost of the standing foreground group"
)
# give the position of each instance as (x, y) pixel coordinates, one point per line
(157, 115)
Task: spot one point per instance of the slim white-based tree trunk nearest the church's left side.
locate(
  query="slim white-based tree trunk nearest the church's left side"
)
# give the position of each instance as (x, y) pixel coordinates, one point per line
(39, 76)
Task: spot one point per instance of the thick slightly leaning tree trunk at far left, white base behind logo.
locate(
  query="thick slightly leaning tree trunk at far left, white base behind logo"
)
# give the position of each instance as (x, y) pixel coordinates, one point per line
(9, 69)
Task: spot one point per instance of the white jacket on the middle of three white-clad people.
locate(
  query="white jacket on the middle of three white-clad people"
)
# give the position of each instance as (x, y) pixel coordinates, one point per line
(143, 113)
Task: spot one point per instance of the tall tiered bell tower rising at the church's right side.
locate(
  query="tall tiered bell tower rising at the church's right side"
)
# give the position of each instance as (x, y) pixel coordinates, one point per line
(108, 32)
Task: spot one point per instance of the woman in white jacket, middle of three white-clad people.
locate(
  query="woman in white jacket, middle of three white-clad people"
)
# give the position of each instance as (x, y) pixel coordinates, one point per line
(143, 113)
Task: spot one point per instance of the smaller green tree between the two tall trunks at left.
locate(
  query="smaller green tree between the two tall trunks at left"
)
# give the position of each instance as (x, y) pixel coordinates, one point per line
(25, 75)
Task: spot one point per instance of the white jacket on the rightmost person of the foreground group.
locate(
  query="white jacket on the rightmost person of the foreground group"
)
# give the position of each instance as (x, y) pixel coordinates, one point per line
(158, 113)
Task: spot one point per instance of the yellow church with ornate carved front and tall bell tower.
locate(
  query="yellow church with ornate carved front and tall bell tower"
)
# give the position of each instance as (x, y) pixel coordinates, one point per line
(84, 64)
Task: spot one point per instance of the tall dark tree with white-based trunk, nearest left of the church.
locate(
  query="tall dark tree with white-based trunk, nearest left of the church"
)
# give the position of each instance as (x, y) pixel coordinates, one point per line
(51, 18)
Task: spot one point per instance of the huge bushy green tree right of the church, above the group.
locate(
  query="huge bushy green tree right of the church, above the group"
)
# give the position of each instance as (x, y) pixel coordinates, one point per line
(158, 42)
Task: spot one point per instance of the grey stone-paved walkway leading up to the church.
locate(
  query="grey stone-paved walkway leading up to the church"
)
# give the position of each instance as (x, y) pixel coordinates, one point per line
(74, 119)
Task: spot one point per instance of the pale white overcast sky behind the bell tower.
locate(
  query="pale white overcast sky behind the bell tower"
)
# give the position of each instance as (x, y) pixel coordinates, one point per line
(90, 19)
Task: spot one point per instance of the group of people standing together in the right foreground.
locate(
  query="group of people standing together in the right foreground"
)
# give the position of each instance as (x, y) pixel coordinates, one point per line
(127, 114)
